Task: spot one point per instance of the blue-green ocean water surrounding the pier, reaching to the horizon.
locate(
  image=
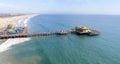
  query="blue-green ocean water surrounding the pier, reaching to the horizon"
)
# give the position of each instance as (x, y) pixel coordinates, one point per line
(66, 49)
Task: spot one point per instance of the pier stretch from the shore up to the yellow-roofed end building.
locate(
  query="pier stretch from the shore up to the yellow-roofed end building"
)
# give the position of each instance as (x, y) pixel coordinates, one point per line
(26, 34)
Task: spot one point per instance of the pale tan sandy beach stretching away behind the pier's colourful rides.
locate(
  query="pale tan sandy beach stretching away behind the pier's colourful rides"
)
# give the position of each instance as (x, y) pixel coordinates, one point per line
(4, 21)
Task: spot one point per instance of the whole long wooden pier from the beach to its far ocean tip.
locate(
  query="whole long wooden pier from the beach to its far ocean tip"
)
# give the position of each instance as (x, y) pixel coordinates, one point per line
(25, 34)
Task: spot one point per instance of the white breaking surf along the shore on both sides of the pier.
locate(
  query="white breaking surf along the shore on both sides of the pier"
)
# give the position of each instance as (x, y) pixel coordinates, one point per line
(10, 42)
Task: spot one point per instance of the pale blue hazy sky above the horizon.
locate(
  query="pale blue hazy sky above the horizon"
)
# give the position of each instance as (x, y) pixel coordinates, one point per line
(61, 6)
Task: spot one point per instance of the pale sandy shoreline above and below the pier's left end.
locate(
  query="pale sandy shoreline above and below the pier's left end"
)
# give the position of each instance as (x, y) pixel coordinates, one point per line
(4, 21)
